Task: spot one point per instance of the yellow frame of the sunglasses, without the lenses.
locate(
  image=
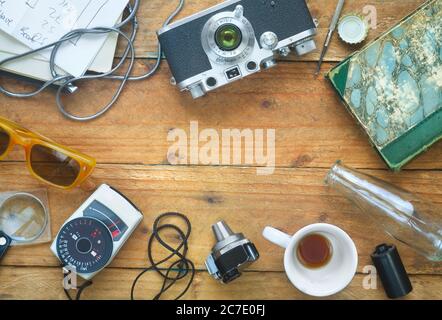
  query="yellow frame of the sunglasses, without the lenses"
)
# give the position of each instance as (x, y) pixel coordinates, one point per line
(19, 135)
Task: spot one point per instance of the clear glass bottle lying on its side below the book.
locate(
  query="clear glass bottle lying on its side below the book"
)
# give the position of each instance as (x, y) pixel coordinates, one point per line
(403, 215)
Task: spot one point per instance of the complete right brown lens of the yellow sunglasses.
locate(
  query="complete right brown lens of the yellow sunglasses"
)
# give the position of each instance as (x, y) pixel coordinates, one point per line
(53, 166)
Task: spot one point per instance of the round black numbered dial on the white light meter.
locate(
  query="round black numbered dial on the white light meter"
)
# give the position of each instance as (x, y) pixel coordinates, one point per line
(85, 244)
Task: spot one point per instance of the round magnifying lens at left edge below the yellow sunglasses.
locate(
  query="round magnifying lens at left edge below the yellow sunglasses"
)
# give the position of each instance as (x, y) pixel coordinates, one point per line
(23, 219)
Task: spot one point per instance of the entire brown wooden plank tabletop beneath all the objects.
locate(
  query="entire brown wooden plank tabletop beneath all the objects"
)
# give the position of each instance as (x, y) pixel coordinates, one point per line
(313, 130)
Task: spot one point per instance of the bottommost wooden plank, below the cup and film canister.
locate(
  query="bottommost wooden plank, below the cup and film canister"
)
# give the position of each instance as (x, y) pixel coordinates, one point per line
(45, 283)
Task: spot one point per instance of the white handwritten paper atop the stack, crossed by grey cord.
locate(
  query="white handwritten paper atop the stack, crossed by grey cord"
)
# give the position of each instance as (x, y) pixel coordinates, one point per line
(37, 23)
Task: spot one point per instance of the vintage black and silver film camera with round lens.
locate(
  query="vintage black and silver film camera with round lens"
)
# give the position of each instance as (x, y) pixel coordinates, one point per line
(233, 40)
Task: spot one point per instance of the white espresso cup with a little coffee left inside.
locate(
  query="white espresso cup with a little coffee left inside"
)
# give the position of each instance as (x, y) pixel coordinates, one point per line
(328, 279)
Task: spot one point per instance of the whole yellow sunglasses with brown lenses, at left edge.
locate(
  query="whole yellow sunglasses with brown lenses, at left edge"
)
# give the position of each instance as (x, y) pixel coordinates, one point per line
(47, 160)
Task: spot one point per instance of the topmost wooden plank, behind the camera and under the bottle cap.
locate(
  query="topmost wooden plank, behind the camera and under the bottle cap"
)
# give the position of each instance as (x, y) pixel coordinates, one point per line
(153, 13)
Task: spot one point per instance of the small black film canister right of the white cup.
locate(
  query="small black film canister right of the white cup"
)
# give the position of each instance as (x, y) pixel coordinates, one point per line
(391, 270)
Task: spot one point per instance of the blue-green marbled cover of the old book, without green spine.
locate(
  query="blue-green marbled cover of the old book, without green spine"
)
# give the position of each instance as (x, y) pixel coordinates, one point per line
(396, 82)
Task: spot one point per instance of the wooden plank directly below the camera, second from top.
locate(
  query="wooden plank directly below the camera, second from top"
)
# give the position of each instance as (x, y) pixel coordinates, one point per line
(313, 129)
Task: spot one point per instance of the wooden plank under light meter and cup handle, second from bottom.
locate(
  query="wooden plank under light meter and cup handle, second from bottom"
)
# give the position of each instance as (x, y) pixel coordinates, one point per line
(289, 199)
